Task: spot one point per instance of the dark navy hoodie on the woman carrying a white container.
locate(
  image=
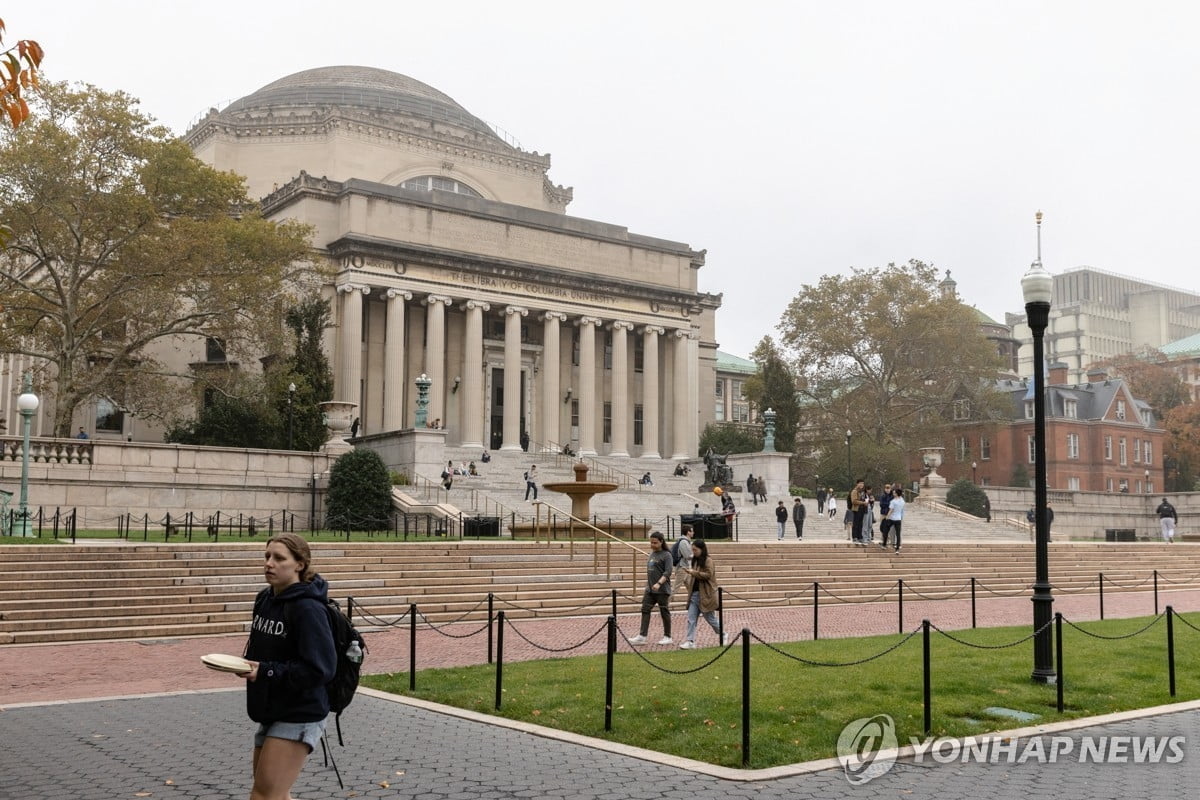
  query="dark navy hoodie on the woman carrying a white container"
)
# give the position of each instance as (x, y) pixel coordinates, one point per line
(291, 640)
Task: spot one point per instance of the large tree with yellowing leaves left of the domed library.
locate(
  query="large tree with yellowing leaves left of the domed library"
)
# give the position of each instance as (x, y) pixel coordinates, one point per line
(125, 243)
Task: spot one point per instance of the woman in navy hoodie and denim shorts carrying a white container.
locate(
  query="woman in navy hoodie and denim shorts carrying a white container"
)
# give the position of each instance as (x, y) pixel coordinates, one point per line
(291, 652)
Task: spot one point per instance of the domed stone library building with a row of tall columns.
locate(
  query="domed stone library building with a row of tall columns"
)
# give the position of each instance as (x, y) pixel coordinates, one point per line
(452, 256)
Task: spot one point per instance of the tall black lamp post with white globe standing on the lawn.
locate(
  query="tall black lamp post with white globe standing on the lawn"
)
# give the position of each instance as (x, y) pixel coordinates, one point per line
(1037, 287)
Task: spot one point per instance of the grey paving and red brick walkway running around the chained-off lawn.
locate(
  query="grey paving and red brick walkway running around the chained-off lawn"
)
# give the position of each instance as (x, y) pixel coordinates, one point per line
(197, 744)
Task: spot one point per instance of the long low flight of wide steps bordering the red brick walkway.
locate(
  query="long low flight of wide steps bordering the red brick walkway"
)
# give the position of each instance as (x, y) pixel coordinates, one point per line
(122, 592)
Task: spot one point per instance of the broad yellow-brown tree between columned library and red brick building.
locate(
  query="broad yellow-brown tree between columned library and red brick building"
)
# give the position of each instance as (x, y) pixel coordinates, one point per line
(886, 354)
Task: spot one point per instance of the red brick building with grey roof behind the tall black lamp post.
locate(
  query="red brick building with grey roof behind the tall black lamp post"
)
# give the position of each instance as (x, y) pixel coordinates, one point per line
(1100, 438)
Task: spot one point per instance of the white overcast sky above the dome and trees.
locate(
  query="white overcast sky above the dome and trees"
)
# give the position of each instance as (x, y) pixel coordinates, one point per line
(789, 140)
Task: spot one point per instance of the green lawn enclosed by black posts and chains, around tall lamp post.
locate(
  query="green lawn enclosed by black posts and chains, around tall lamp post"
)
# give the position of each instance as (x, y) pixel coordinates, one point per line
(799, 711)
